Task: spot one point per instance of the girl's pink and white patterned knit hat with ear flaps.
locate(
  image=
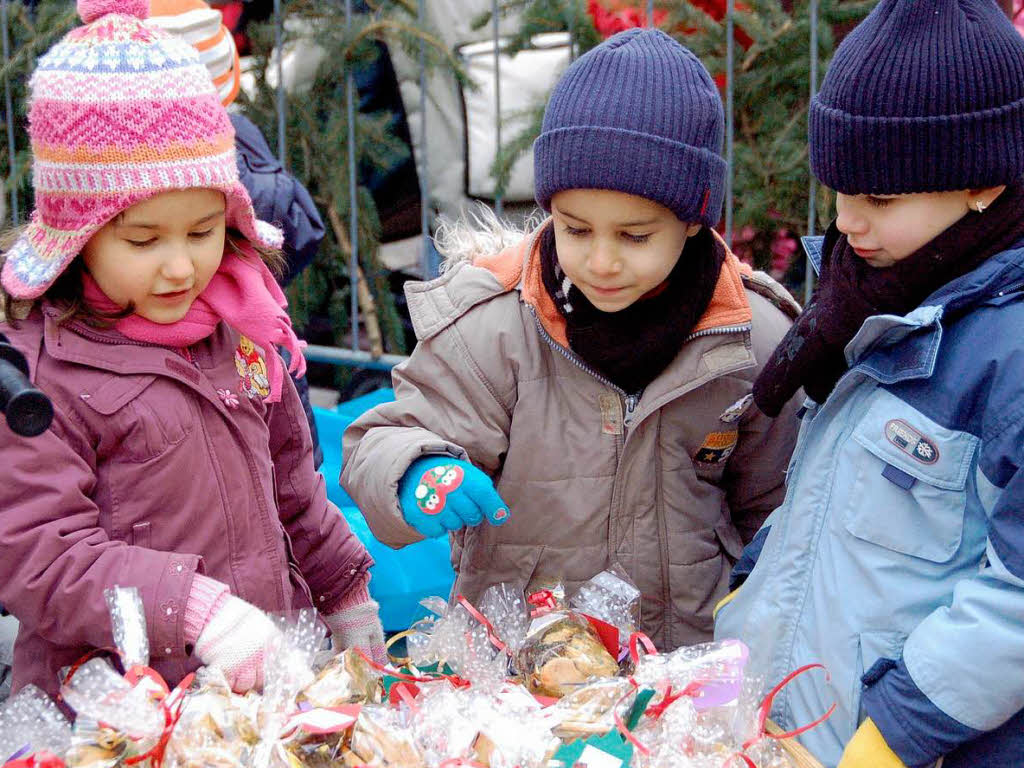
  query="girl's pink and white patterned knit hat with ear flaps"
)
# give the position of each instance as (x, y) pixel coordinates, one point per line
(119, 112)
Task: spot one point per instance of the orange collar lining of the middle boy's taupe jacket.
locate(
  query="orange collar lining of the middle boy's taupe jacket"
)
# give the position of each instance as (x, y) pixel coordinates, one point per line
(520, 267)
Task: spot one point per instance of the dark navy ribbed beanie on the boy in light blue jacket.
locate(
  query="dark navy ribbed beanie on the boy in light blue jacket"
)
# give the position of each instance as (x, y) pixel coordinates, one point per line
(924, 96)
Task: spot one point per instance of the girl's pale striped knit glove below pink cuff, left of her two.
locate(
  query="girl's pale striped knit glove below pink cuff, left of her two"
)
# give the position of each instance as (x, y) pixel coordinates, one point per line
(235, 642)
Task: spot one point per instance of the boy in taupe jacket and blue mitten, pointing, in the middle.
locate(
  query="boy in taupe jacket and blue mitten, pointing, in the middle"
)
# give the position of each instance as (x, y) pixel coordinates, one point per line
(557, 369)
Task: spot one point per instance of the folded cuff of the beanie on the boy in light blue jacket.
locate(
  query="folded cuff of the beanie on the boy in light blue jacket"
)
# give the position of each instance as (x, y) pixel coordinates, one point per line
(870, 155)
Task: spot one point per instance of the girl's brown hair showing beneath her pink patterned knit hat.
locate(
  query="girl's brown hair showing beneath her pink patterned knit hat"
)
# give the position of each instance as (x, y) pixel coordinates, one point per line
(67, 291)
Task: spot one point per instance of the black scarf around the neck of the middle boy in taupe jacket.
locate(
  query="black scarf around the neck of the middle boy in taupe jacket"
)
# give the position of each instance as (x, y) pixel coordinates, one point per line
(632, 347)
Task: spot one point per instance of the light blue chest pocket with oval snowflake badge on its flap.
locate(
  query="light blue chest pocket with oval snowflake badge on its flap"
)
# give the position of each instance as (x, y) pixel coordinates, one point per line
(910, 495)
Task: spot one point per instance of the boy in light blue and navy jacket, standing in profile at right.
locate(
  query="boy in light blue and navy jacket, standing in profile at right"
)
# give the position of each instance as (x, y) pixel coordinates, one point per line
(903, 532)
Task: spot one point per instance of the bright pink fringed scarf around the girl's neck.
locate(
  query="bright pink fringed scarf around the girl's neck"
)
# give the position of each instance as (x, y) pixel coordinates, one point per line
(244, 294)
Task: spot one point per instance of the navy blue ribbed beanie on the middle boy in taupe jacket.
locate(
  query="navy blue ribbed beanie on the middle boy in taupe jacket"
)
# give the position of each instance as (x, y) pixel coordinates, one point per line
(638, 114)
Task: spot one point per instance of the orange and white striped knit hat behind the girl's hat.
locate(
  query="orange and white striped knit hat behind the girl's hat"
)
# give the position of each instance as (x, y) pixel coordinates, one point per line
(202, 27)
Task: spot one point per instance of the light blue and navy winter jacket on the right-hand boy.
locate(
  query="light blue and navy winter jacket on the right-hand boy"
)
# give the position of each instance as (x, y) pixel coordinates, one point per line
(898, 559)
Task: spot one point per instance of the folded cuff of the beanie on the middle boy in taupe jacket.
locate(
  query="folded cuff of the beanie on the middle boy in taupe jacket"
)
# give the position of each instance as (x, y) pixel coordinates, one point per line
(689, 181)
